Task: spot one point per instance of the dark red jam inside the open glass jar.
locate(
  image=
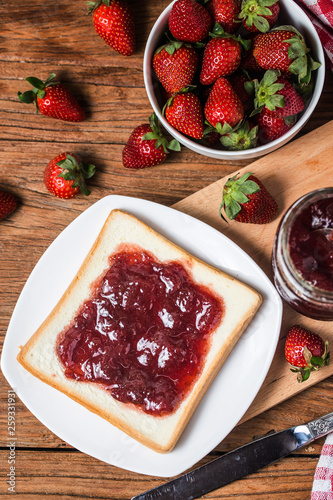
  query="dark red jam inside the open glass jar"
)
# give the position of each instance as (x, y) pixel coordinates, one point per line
(311, 244)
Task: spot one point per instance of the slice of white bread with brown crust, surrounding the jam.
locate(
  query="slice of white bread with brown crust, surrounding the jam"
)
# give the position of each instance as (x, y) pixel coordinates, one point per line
(39, 355)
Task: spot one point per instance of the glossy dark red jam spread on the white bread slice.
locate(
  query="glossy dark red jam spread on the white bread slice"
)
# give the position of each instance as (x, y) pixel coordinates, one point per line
(143, 334)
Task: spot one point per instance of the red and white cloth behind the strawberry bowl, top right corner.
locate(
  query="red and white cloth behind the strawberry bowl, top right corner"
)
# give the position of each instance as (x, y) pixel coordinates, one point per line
(321, 14)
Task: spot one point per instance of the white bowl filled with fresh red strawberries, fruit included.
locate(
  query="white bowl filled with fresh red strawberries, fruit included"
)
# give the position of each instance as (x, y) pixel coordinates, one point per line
(233, 79)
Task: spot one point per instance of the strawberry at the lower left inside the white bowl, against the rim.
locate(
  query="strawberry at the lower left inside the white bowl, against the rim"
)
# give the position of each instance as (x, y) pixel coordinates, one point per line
(184, 112)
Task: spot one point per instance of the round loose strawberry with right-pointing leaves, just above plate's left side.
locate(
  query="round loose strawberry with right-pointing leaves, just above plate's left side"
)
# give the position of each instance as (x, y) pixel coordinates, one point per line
(65, 175)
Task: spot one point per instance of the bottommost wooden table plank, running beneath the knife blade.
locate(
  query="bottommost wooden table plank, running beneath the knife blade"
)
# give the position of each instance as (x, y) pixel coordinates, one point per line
(68, 474)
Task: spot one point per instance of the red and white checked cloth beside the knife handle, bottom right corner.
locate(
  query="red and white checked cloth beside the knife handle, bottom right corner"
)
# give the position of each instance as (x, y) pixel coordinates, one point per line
(322, 488)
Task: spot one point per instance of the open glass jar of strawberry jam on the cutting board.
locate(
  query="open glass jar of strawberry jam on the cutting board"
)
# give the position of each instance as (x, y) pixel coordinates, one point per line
(303, 255)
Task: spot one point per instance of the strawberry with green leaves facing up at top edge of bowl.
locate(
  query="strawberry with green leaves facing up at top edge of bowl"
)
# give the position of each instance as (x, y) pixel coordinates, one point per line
(259, 15)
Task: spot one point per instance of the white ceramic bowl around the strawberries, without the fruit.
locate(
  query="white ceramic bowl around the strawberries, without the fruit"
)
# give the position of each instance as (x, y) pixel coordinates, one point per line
(292, 14)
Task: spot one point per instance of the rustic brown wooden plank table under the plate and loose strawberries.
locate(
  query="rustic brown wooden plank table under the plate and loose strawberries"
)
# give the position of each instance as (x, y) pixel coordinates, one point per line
(38, 38)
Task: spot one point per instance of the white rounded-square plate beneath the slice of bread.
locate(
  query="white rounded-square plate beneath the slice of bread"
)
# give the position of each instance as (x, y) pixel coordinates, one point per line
(230, 394)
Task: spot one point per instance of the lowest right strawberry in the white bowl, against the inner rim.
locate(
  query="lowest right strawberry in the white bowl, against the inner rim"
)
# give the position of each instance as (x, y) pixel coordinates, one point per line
(272, 125)
